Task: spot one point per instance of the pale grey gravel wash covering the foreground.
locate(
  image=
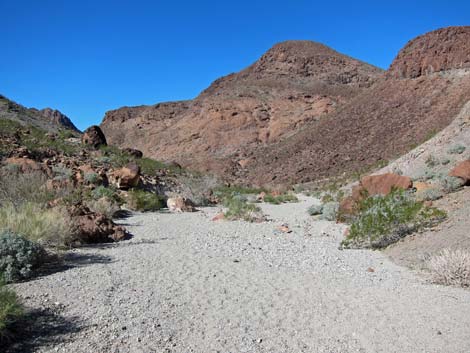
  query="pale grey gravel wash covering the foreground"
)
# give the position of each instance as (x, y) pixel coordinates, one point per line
(187, 284)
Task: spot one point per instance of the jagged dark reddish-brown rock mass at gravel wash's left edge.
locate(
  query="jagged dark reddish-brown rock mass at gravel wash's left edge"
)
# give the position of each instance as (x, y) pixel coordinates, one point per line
(91, 227)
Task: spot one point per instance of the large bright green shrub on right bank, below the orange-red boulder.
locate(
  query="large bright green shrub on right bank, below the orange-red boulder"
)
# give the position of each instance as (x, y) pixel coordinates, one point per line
(383, 220)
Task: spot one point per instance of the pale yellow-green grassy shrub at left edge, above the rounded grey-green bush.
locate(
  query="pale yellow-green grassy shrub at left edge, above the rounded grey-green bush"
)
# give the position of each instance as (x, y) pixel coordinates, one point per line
(47, 226)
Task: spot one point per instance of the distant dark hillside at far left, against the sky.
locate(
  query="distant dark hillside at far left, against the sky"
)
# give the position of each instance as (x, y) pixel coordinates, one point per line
(47, 119)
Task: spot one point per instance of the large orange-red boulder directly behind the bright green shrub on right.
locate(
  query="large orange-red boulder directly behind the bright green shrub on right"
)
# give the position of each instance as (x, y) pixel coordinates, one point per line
(383, 184)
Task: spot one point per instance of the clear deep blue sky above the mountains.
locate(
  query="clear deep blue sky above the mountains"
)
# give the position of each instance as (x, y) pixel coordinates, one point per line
(86, 57)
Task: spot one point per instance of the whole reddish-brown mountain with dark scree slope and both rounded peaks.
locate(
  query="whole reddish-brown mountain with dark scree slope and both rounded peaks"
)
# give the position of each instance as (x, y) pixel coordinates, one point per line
(304, 111)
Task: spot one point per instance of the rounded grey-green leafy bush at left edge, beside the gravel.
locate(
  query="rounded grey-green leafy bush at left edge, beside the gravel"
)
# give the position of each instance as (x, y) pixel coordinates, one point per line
(18, 256)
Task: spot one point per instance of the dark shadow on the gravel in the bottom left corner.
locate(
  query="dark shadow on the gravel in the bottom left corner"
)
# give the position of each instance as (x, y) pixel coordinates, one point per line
(39, 328)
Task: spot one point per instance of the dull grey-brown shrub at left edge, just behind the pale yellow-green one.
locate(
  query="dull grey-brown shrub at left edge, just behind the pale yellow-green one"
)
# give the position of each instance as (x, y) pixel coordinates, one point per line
(17, 188)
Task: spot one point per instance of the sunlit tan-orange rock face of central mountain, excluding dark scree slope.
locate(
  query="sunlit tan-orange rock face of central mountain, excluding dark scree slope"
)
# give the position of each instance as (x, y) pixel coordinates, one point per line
(294, 83)
